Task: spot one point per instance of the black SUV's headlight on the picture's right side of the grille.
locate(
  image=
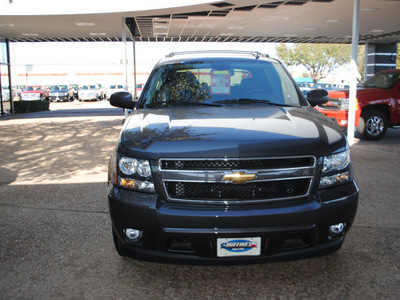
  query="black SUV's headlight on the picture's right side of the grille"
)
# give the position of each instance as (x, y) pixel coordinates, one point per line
(336, 169)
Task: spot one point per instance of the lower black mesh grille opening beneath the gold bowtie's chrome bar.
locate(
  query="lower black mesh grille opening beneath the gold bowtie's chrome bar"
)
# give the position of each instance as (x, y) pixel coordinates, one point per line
(237, 192)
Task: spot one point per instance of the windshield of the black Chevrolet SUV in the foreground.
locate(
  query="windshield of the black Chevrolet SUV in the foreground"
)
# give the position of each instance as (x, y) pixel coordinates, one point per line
(220, 82)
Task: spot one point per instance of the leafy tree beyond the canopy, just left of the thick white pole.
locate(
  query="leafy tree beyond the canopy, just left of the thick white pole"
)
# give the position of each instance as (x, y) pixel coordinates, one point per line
(318, 59)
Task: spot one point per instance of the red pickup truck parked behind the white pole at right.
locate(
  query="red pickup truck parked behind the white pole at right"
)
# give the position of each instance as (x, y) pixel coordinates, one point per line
(377, 109)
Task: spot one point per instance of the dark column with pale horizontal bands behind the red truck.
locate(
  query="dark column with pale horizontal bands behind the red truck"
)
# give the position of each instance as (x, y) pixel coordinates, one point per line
(380, 57)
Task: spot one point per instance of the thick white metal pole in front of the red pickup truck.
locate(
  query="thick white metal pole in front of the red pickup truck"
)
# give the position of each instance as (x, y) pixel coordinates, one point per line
(354, 72)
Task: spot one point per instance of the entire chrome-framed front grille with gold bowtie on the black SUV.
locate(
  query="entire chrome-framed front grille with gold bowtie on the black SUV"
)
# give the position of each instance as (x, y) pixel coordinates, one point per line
(206, 180)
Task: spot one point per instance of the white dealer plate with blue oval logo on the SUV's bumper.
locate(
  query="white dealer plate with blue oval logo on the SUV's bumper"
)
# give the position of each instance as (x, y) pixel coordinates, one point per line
(250, 246)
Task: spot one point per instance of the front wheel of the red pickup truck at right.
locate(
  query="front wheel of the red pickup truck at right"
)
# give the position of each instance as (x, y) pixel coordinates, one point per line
(373, 125)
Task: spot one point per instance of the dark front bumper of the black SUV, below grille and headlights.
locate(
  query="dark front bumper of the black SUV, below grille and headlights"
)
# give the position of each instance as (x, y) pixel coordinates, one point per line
(189, 233)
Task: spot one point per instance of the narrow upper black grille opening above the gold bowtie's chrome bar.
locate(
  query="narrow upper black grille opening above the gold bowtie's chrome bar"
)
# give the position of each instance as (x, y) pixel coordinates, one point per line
(221, 164)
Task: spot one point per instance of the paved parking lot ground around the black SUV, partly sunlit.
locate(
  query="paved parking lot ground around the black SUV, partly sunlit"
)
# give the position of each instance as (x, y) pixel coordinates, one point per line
(55, 231)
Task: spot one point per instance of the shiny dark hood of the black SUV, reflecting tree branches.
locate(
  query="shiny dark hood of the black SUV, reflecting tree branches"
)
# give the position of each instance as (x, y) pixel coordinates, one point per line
(229, 131)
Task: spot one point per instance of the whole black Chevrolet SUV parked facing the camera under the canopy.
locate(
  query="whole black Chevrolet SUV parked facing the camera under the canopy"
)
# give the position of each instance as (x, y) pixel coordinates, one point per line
(223, 160)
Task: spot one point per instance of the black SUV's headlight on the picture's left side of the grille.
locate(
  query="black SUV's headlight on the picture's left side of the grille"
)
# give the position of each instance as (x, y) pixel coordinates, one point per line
(136, 174)
